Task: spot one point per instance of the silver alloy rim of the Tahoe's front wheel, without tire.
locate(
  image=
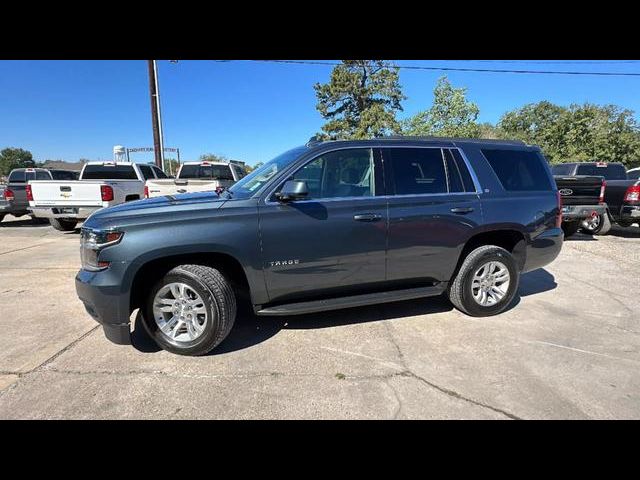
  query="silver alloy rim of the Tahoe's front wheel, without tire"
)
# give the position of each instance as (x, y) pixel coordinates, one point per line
(179, 312)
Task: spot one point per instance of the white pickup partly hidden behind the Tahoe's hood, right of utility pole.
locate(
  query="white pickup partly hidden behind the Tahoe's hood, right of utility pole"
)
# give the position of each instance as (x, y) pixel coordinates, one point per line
(197, 177)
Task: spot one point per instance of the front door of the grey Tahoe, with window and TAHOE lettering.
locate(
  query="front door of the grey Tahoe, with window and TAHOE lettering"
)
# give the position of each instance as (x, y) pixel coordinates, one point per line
(333, 240)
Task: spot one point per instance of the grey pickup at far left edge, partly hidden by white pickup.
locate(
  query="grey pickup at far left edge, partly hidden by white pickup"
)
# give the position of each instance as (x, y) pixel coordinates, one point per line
(13, 199)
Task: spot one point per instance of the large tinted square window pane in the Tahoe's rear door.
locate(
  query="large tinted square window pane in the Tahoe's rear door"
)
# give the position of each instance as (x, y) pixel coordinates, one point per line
(418, 171)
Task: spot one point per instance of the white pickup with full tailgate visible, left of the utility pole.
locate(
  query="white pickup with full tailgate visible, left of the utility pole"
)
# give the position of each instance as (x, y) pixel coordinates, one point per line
(101, 184)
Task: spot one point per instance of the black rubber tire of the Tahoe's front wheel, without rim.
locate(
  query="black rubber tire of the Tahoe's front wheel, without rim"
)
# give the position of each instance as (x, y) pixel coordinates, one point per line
(219, 300)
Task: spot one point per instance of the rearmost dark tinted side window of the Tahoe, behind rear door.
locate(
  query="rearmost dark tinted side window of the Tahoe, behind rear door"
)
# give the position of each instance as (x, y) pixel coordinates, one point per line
(519, 170)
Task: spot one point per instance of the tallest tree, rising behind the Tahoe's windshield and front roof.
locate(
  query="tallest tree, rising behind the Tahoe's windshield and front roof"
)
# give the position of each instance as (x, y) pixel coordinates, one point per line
(361, 100)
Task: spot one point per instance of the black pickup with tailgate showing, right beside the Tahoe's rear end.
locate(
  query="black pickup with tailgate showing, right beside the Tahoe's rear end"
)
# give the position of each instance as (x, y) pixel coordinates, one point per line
(582, 200)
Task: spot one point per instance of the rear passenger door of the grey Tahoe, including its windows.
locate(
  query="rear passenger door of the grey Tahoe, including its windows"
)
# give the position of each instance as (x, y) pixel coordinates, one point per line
(433, 207)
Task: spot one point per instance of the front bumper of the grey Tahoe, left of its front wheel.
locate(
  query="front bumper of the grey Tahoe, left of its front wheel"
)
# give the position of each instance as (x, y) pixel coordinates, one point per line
(100, 294)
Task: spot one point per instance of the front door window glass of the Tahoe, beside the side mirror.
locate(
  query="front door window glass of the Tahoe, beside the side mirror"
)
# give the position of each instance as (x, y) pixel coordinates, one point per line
(339, 174)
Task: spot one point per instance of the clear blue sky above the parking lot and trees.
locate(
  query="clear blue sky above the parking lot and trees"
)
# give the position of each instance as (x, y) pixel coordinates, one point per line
(246, 110)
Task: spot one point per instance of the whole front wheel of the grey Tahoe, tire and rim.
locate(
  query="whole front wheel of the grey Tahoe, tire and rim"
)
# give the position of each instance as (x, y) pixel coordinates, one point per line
(191, 310)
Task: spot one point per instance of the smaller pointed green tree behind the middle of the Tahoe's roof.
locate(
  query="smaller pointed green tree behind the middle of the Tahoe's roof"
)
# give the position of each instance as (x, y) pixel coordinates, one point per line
(450, 115)
